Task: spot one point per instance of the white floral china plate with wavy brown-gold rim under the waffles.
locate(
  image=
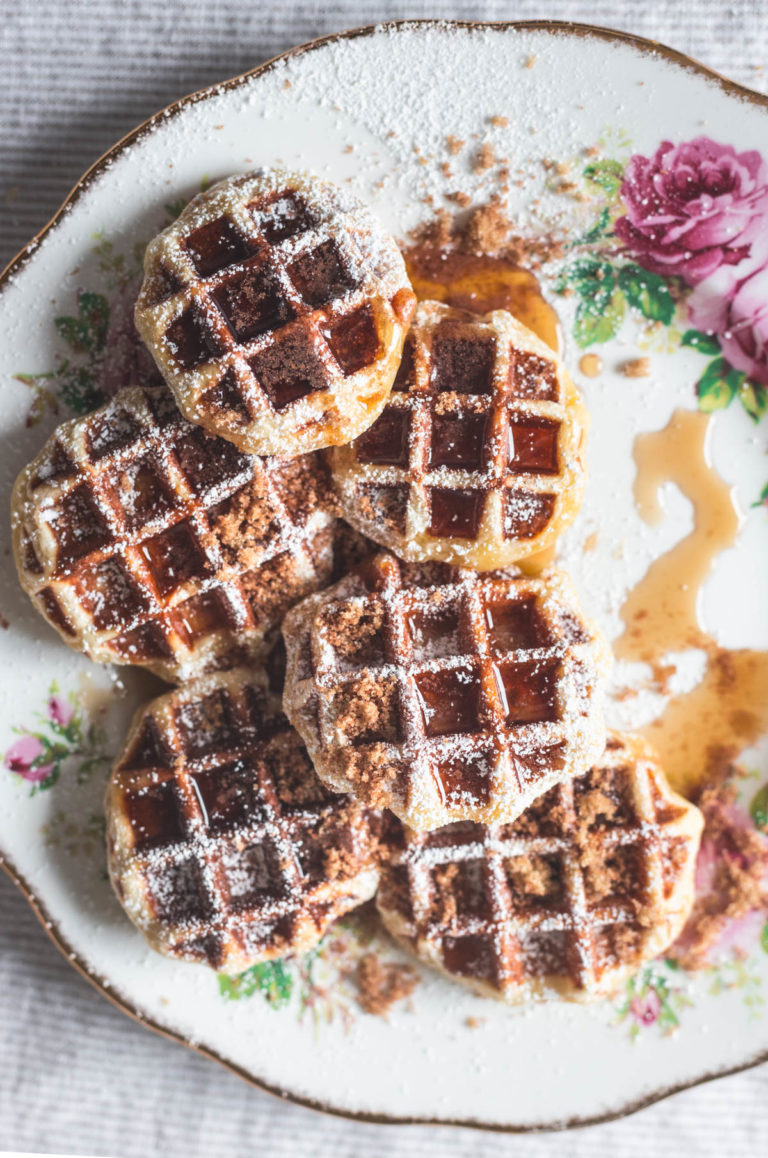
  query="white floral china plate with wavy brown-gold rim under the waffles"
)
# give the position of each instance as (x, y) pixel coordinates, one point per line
(652, 177)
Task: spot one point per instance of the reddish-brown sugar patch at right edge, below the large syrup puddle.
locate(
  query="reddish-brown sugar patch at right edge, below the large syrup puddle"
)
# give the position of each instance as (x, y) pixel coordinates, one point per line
(741, 863)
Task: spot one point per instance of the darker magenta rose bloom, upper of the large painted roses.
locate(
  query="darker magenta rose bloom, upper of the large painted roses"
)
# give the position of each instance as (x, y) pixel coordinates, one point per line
(694, 208)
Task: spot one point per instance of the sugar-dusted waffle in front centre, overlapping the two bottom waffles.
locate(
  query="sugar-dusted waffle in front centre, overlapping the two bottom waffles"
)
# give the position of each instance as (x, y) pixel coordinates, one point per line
(443, 694)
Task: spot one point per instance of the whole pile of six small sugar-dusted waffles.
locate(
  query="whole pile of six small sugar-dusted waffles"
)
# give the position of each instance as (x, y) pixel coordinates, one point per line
(328, 464)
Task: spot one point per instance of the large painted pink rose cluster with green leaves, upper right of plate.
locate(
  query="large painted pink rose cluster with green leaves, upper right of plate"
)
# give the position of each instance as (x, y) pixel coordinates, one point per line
(682, 237)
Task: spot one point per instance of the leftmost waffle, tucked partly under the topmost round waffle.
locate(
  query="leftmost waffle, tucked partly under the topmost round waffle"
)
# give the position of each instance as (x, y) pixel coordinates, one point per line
(144, 540)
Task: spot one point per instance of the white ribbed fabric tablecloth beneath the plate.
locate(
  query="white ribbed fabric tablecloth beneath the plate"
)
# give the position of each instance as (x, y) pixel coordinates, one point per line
(76, 1075)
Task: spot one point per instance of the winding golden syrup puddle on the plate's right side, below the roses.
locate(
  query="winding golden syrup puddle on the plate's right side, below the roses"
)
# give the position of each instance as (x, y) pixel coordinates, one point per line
(728, 710)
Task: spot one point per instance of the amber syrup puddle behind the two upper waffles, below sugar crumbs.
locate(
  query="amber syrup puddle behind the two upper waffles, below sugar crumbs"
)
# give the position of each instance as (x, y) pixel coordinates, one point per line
(481, 283)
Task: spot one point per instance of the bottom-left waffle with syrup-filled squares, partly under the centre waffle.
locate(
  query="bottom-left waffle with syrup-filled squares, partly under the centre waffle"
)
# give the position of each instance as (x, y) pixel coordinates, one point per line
(224, 847)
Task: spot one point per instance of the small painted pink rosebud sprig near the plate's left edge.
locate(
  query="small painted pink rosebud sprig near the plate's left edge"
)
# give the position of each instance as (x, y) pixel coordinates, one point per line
(64, 734)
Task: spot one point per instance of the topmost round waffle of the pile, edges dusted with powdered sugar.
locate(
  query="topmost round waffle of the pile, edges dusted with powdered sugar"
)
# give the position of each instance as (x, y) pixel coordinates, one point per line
(276, 309)
